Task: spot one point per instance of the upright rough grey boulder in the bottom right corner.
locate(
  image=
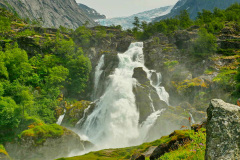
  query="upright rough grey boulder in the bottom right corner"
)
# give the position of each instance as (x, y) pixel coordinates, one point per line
(223, 131)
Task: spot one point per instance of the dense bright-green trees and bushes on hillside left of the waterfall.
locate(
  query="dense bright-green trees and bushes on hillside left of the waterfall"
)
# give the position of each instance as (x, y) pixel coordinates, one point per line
(37, 66)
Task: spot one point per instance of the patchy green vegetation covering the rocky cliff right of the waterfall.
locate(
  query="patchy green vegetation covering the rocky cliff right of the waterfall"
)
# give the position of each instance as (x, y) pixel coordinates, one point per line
(217, 40)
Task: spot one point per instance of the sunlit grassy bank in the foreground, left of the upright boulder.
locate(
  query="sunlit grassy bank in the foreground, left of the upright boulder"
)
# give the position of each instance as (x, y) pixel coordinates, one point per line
(195, 149)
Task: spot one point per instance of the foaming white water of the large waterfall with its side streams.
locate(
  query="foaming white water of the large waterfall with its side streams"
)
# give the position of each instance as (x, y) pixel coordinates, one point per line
(114, 122)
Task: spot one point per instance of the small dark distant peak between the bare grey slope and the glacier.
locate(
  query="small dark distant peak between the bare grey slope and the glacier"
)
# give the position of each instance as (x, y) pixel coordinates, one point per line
(90, 12)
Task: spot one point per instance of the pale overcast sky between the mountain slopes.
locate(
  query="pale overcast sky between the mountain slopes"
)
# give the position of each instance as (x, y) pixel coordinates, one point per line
(117, 8)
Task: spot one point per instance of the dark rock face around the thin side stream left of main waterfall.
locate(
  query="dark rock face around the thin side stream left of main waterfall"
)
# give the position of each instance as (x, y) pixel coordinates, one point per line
(109, 47)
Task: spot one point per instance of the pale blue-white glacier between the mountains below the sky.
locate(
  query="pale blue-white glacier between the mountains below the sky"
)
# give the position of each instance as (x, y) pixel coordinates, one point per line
(126, 22)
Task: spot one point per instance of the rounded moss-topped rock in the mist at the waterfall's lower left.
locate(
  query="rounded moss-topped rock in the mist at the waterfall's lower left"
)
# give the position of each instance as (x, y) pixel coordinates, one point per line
(45, 142)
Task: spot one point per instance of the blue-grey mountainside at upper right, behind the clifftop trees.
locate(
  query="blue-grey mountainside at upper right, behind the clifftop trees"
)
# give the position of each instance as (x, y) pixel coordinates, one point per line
(195, 6)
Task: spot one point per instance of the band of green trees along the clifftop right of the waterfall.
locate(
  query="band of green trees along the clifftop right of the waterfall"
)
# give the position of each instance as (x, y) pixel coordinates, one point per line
(212, 21)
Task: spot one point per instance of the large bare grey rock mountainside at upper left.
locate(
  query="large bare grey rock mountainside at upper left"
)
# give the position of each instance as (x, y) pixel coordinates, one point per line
(51, 12)
